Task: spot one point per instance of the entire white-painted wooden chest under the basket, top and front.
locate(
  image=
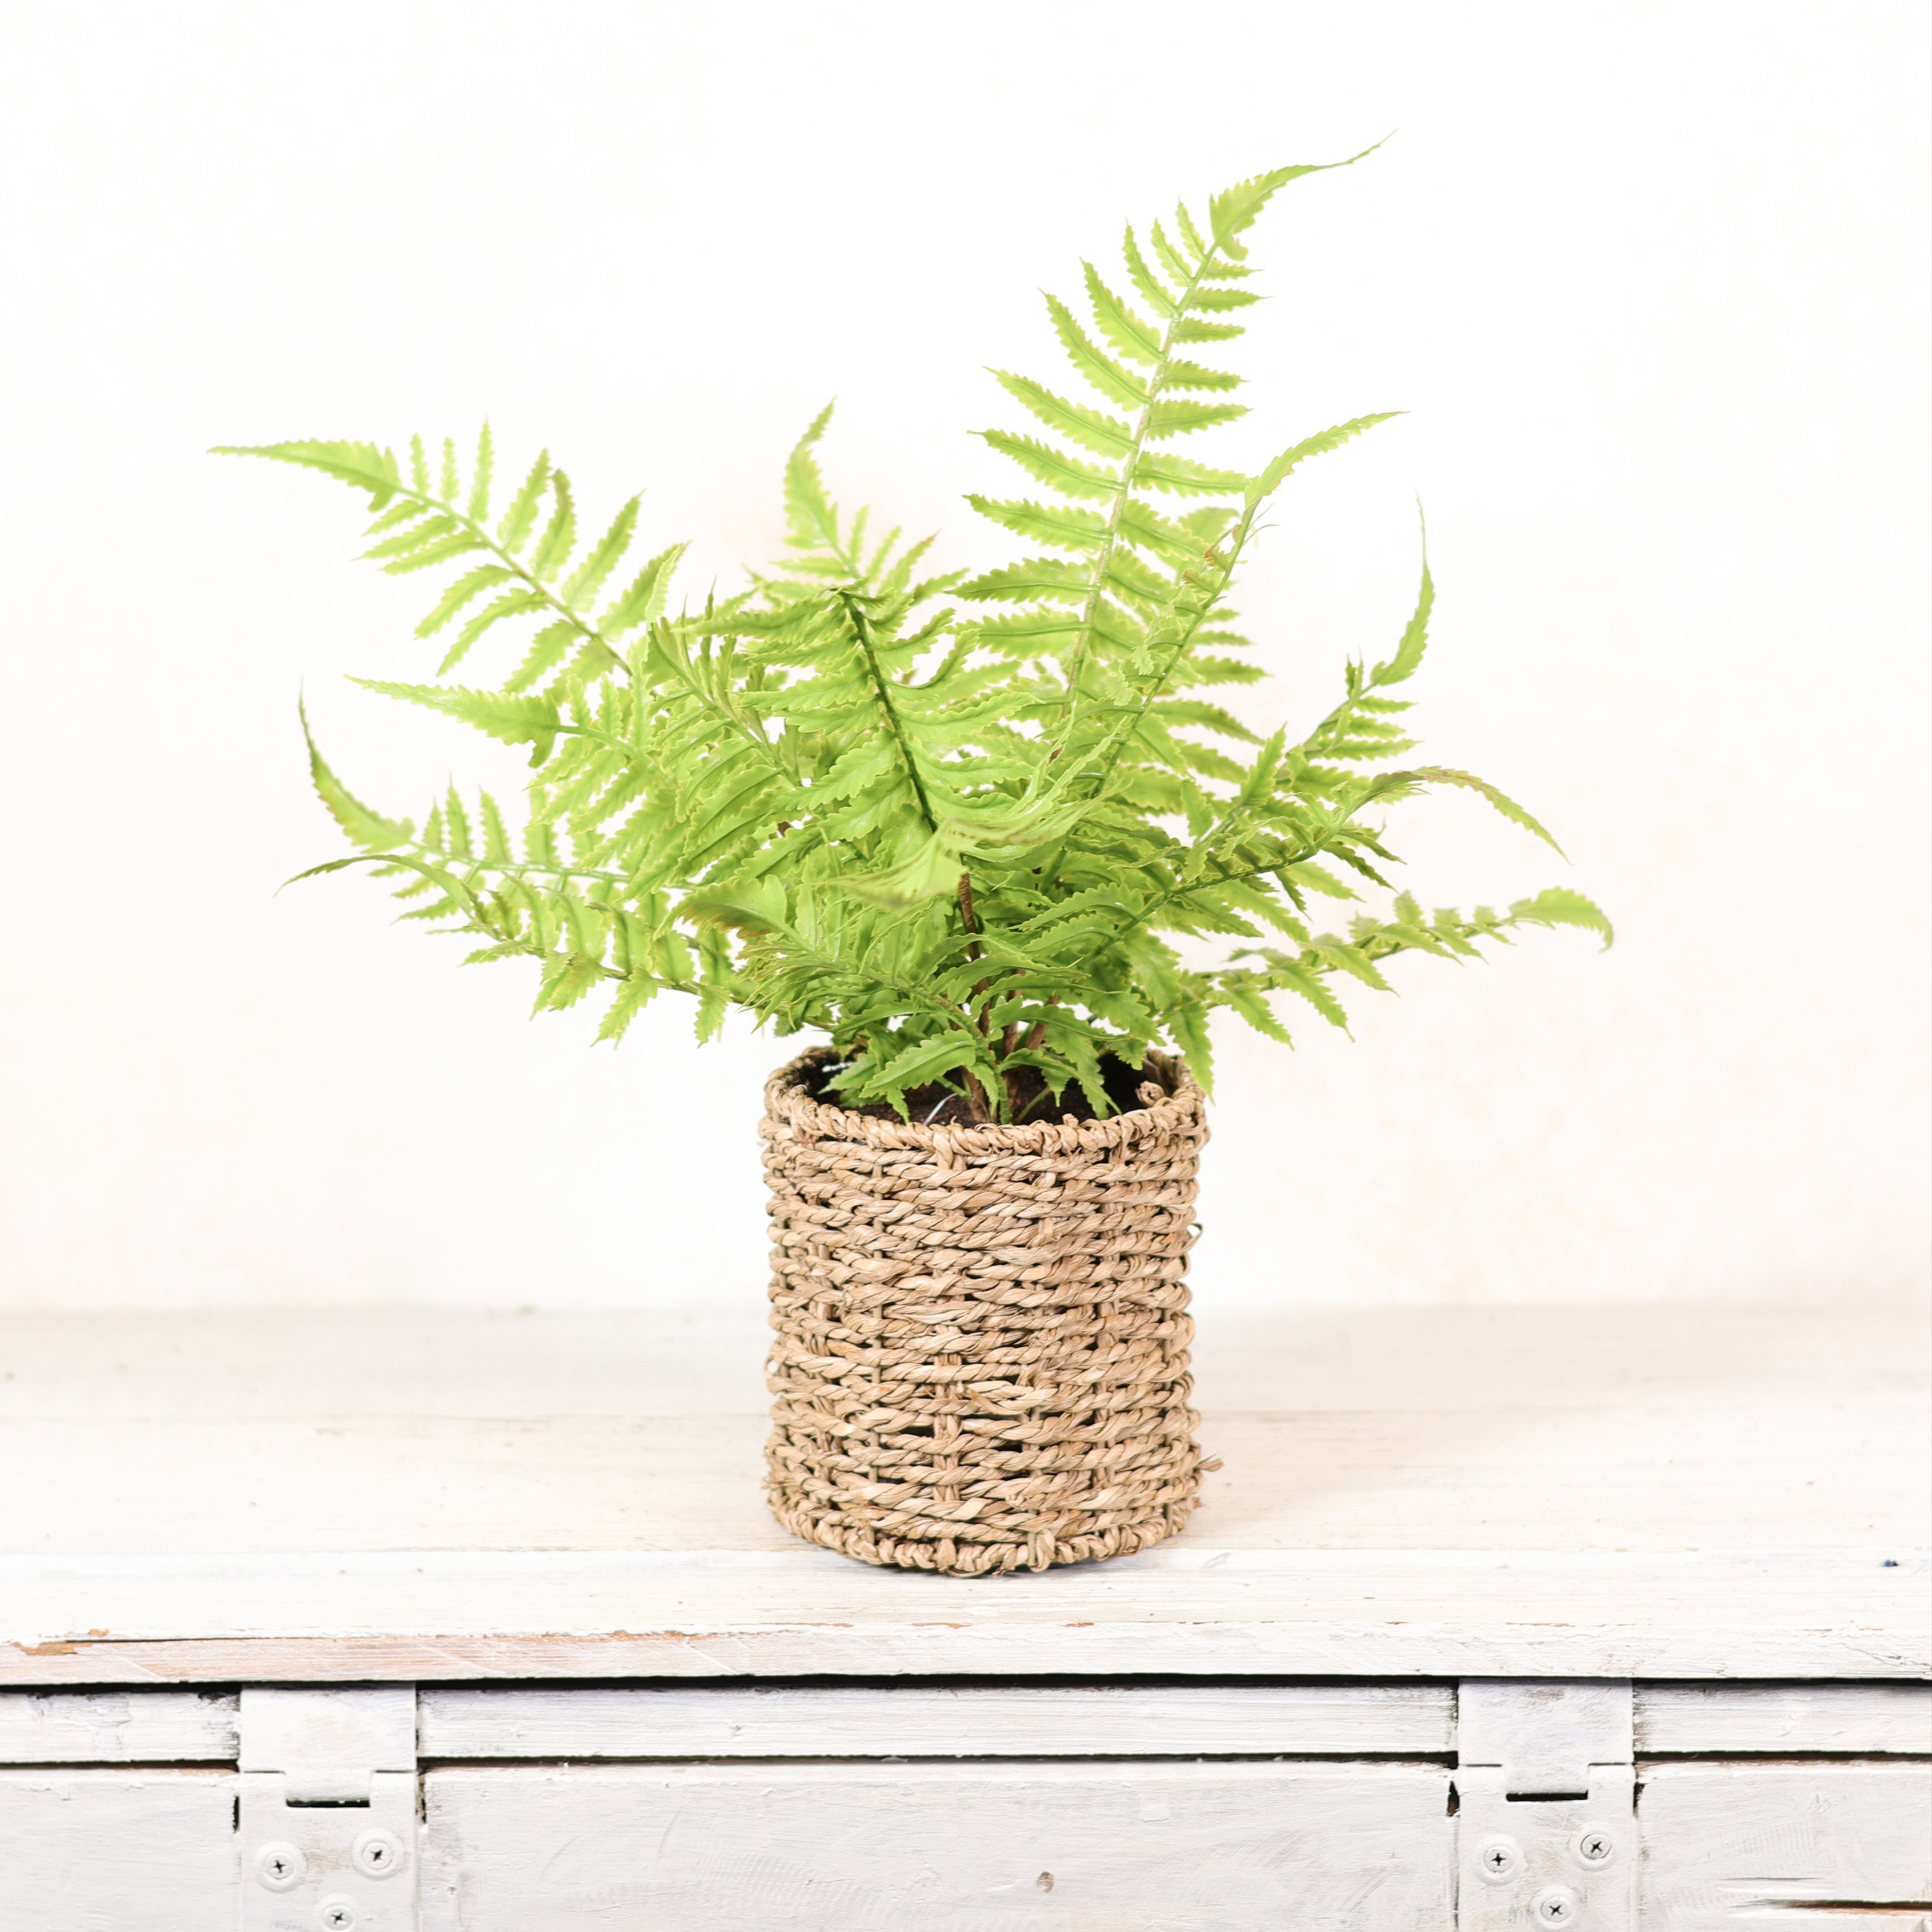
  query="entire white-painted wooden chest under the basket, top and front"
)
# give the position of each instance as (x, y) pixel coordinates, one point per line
(1494, 1618)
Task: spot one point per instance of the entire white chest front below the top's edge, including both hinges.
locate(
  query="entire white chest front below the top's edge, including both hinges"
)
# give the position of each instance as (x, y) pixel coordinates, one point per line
(1170, 1834)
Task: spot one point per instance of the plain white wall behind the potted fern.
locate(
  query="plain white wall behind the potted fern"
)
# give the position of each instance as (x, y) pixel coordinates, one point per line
(1649, 279)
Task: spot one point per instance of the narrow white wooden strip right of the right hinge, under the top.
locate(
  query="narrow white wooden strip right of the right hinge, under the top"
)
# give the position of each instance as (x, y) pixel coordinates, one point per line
(1865, 1720)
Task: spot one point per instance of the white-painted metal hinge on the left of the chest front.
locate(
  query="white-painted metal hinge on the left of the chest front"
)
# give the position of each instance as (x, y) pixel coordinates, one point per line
(327, 1819)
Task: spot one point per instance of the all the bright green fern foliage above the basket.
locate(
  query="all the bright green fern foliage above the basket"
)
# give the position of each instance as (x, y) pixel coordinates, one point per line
(963, 826)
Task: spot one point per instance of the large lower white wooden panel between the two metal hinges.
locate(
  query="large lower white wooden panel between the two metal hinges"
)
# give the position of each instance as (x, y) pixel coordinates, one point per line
(1091, 1848)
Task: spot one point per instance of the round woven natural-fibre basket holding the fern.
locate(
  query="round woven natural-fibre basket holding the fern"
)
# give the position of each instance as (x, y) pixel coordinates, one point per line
(982, 1334)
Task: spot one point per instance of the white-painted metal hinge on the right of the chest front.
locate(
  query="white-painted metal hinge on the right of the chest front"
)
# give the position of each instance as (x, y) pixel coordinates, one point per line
(1547, 1807)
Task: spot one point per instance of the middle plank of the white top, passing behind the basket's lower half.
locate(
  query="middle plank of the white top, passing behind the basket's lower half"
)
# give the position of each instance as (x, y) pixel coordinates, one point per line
(1431, 1479)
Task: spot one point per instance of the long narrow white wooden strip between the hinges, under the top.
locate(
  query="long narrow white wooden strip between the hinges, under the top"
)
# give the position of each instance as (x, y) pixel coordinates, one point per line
(938, 1724)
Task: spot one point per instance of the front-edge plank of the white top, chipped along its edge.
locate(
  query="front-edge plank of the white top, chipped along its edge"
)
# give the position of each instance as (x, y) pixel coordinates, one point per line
(803, 1612)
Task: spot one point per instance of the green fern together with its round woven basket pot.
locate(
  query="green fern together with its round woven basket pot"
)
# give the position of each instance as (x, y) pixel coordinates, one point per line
(982, 838)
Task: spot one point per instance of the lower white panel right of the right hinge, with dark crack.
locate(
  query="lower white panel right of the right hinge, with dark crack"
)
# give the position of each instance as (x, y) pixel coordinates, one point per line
(1804, 1848)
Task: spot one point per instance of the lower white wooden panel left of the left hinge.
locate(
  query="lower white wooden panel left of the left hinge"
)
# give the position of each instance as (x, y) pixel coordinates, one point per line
(117, 1852)
